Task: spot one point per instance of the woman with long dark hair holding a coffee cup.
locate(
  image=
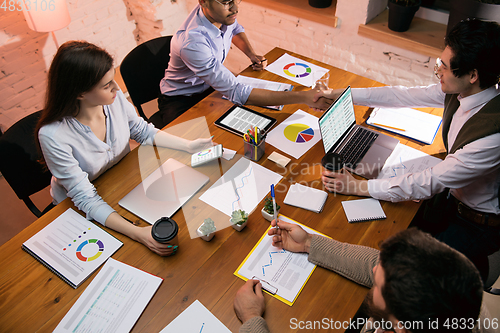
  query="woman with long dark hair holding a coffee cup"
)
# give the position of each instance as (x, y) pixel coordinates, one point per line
(85, 129)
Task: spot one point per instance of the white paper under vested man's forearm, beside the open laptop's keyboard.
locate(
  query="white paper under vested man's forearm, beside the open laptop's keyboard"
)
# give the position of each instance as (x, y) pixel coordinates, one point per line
(404, 160)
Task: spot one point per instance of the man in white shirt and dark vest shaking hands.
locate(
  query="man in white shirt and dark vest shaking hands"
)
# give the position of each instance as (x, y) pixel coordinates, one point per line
(464, 187)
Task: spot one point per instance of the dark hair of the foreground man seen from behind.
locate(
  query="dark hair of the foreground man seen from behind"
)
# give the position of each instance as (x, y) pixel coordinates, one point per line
(427, 280)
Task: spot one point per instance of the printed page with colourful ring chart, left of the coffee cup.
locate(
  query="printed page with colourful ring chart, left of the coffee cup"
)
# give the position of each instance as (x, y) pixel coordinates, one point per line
(72, 247)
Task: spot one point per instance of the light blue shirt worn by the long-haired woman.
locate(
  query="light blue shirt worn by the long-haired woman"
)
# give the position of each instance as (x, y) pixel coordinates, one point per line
(75, 156)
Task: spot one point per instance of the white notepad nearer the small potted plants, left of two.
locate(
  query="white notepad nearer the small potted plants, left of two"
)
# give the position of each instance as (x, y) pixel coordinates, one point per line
(306, 197)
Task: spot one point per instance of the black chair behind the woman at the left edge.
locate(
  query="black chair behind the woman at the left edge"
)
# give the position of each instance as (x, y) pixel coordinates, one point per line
(19, 162)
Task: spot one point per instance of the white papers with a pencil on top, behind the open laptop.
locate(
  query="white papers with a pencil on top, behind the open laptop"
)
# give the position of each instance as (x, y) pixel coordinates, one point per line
(407, 122)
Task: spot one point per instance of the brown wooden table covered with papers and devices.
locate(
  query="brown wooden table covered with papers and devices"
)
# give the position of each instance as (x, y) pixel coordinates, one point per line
(34, 299)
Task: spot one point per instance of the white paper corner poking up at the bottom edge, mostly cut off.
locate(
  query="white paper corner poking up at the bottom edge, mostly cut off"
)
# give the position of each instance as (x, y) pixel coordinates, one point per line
(196, 319)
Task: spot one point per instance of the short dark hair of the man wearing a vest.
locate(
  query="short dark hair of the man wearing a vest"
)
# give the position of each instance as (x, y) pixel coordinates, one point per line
(476, 45)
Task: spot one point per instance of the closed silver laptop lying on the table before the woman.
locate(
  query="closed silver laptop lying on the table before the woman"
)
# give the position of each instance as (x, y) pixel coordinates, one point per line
(164, 191)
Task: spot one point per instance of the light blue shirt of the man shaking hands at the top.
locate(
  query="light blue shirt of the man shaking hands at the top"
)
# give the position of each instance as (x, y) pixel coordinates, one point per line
(197, 52)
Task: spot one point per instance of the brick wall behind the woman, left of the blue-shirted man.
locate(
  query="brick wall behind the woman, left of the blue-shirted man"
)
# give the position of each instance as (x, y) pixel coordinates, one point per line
(25, 55)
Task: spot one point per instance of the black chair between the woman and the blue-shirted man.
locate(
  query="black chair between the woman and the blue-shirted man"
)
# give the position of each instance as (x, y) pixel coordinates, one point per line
(142, 70)
